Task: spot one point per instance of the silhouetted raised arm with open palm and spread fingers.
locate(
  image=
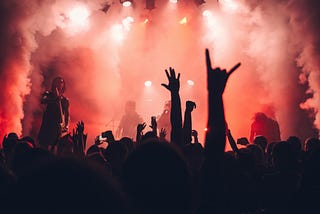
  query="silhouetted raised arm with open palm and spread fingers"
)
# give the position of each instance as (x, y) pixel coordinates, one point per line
(175, 114)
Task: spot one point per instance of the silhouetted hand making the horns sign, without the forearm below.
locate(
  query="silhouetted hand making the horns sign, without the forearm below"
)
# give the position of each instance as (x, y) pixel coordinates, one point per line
(217, 78)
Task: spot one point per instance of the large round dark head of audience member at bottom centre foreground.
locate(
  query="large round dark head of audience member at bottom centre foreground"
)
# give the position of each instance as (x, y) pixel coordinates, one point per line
(157, 179)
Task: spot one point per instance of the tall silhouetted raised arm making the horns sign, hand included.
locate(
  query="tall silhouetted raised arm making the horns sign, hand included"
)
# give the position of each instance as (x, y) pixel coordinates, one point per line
(215, 136)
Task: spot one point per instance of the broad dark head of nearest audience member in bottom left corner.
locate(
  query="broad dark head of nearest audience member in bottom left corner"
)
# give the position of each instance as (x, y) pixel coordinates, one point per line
(67, 186)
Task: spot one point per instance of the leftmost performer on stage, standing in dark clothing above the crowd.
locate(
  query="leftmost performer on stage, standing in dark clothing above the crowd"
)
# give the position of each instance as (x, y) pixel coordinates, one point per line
(56, 116)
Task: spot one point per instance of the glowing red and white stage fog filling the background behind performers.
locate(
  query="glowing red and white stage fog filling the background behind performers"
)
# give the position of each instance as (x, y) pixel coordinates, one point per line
(106, 53)
